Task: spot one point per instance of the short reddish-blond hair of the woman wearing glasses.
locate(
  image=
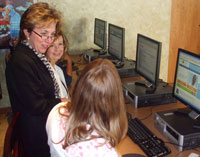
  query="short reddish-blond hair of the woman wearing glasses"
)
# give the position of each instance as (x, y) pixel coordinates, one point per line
(39, 14)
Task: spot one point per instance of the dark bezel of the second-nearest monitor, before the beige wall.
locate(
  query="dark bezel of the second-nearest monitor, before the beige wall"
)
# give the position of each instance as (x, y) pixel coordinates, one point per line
(157, 72)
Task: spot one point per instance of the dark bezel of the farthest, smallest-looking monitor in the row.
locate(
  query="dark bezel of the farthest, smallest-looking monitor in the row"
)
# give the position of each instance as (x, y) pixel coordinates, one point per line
(105, 34)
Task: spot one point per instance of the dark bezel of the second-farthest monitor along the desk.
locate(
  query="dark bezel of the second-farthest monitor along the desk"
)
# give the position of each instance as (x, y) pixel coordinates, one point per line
(122, 43)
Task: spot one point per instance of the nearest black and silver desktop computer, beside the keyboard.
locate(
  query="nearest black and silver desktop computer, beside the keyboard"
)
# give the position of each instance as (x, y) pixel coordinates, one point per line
(178, 129)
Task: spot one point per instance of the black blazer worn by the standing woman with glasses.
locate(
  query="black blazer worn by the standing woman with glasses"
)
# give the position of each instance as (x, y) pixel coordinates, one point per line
(31, 92)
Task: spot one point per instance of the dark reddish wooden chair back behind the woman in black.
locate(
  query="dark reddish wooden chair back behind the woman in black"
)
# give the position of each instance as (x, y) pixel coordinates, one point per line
(12, 144)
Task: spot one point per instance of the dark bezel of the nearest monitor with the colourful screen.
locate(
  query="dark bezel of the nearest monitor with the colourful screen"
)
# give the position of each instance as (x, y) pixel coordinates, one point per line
(185, 102)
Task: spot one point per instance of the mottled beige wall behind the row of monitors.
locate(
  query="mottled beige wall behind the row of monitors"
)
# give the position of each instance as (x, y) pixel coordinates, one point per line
(148, 17)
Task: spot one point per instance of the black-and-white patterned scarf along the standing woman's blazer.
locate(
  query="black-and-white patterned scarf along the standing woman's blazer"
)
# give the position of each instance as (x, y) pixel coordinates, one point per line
(43, 58)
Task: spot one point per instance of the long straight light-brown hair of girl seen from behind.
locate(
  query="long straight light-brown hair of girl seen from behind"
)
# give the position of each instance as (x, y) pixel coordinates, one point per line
(97, 100)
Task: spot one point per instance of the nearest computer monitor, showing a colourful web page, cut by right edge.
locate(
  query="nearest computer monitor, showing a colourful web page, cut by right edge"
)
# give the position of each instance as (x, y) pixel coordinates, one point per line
(187, 81)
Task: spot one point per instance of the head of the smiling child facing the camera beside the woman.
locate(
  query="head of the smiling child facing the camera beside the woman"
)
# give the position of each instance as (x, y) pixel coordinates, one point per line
(56, 51)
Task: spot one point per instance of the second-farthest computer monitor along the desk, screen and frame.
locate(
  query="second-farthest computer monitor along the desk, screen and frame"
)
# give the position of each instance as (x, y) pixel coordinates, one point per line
(116, 39)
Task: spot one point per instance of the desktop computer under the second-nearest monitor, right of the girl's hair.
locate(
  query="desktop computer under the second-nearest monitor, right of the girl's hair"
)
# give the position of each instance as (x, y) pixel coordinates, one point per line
(139, 98)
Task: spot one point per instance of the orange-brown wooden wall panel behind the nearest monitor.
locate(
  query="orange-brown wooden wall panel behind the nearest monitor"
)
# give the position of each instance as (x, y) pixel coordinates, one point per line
(185, 30)
